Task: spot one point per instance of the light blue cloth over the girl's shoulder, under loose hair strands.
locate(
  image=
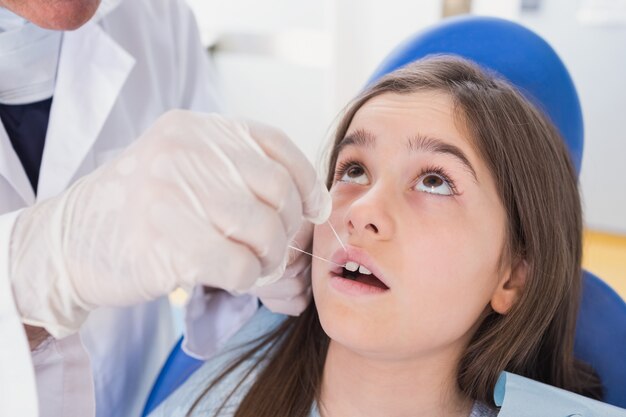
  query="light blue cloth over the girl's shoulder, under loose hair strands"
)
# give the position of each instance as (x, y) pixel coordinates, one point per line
(228, 393)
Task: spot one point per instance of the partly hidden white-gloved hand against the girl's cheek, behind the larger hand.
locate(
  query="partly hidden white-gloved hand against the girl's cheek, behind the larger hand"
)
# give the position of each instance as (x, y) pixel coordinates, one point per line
(291, 294)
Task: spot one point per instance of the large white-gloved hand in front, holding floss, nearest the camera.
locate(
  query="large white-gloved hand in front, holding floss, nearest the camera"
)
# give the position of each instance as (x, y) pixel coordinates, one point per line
(197, 199)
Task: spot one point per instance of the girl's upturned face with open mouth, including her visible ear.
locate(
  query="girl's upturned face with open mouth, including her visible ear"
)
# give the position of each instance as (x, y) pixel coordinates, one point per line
(417, 207)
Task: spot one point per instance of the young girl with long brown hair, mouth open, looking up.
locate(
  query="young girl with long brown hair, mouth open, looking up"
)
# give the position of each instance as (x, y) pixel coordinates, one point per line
(460, 225)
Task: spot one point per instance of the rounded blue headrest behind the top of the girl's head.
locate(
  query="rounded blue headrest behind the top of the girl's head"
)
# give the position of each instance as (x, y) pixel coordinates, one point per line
(514, 52)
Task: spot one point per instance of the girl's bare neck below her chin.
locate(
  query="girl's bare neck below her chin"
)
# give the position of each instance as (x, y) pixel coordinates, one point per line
(357, 386)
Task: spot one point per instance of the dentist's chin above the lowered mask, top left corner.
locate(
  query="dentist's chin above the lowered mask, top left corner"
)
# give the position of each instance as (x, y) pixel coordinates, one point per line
(57, 14)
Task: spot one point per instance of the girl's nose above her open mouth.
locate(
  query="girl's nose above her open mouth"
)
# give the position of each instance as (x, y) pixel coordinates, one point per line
(369, 216)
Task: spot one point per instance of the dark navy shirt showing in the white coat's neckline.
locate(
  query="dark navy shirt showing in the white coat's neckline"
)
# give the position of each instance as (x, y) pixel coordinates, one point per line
(26, 125)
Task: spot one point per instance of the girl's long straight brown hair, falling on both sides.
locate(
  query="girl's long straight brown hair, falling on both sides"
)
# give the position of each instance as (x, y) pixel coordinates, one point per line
(537, 185)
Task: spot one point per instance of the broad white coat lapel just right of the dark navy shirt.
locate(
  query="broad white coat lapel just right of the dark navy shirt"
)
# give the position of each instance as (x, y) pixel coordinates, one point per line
(92, 71)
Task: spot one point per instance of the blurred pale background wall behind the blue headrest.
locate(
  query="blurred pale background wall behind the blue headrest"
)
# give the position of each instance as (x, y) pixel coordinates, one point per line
(296, 63)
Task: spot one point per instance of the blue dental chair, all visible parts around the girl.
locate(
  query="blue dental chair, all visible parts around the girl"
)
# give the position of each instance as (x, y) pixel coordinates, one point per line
(527, 61)
